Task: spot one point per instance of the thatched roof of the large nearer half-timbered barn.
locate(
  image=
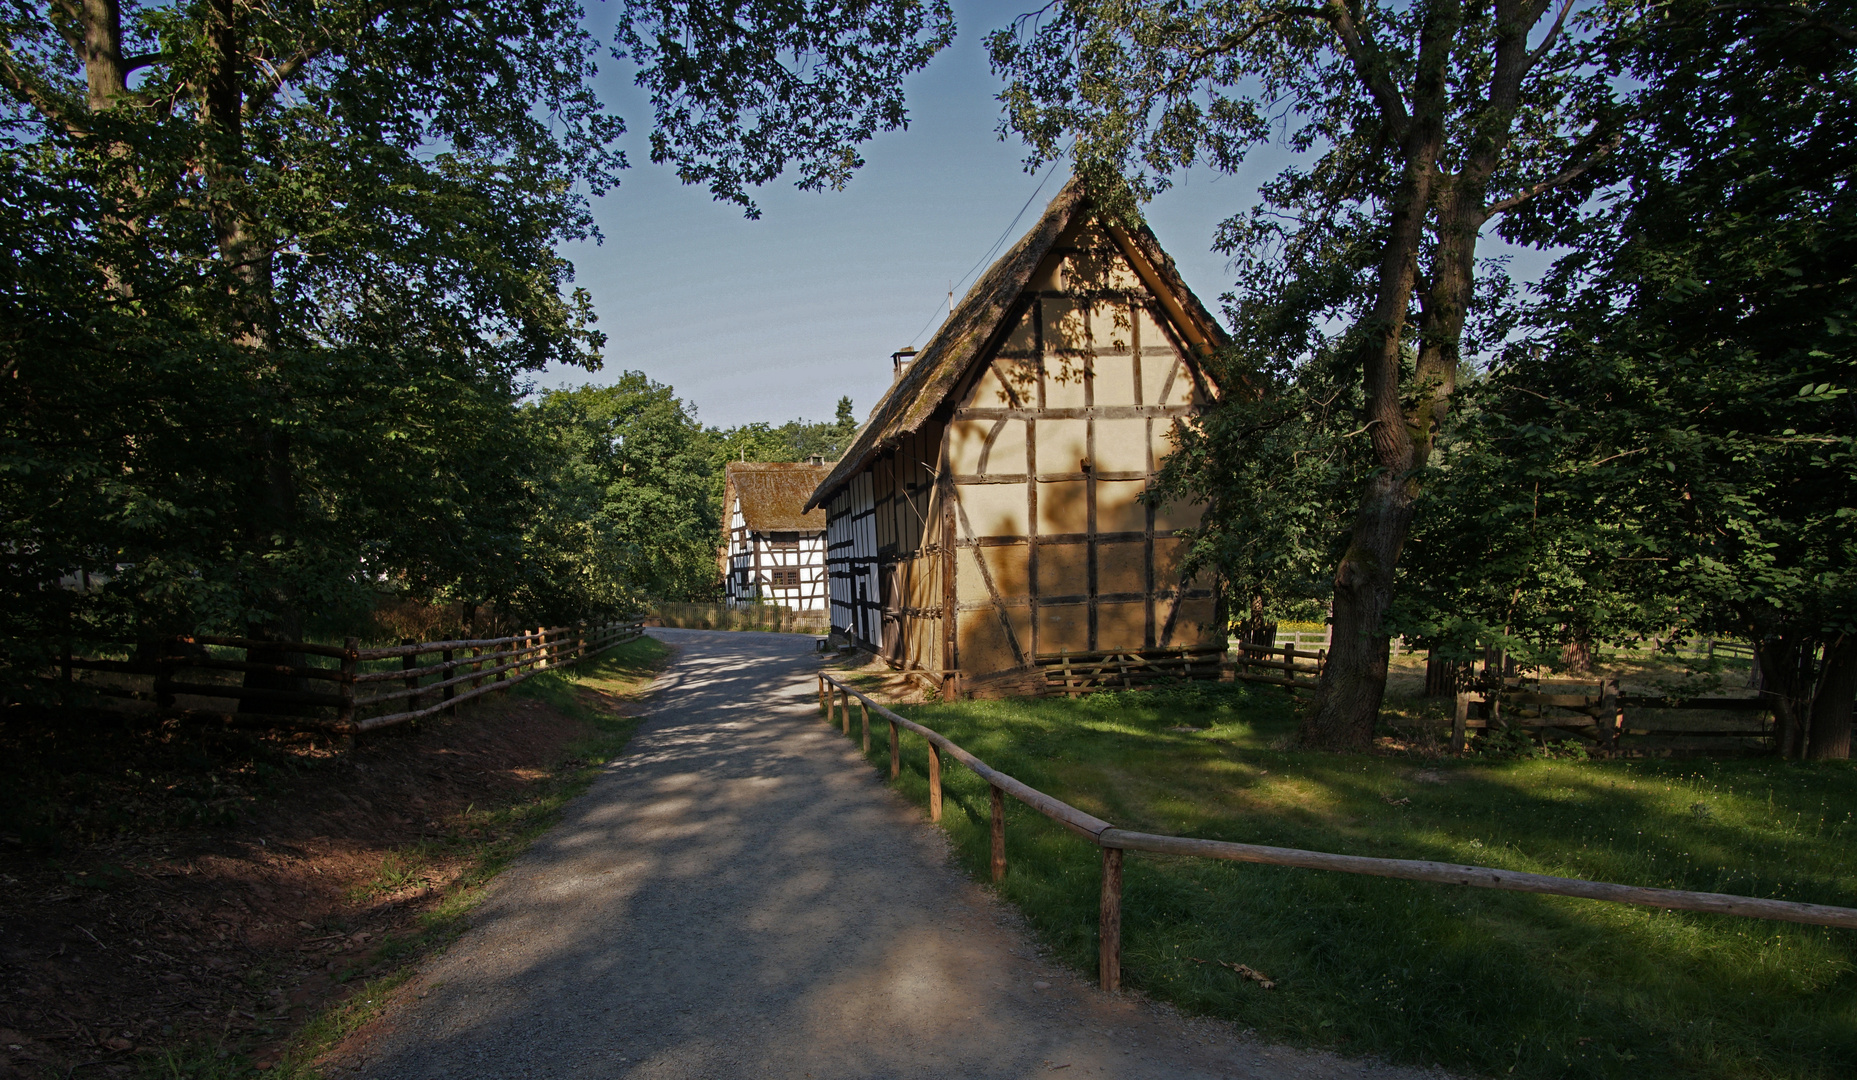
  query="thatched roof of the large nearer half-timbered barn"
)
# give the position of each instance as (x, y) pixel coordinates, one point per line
(980, 320)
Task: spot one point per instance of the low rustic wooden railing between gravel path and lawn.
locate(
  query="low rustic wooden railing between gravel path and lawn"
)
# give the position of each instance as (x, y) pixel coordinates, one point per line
(837, 697)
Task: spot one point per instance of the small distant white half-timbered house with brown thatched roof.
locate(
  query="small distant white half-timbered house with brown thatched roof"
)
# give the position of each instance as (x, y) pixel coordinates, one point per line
(773, 545)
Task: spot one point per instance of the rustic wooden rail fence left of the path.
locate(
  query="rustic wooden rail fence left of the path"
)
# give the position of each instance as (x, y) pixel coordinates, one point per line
(352, 691)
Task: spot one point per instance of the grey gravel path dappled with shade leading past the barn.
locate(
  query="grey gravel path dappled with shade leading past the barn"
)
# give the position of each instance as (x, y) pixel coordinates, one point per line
(742, 897)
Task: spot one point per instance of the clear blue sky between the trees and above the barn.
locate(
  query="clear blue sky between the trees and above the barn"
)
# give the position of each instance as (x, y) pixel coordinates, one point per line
(777, 318)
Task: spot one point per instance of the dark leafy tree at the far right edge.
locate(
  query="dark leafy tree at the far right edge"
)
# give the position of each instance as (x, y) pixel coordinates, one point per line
(1685, 404)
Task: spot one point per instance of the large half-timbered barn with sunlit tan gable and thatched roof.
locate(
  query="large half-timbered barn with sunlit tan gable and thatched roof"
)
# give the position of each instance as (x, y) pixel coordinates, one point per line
(989, 526)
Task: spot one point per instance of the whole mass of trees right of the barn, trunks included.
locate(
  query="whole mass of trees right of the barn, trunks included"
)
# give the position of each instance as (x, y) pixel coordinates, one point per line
(1654, 439)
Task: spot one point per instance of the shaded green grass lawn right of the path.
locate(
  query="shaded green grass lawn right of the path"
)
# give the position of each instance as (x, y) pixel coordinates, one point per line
(1485, 983)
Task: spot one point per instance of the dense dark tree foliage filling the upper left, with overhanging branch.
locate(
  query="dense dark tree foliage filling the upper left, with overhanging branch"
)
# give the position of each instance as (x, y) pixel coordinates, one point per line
(274, 266)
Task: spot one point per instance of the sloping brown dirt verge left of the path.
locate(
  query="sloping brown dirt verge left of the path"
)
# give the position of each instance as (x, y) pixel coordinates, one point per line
(188, 899)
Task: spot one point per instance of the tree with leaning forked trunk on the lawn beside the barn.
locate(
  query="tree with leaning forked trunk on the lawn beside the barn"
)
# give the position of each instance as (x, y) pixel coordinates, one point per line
(1416, 125)
